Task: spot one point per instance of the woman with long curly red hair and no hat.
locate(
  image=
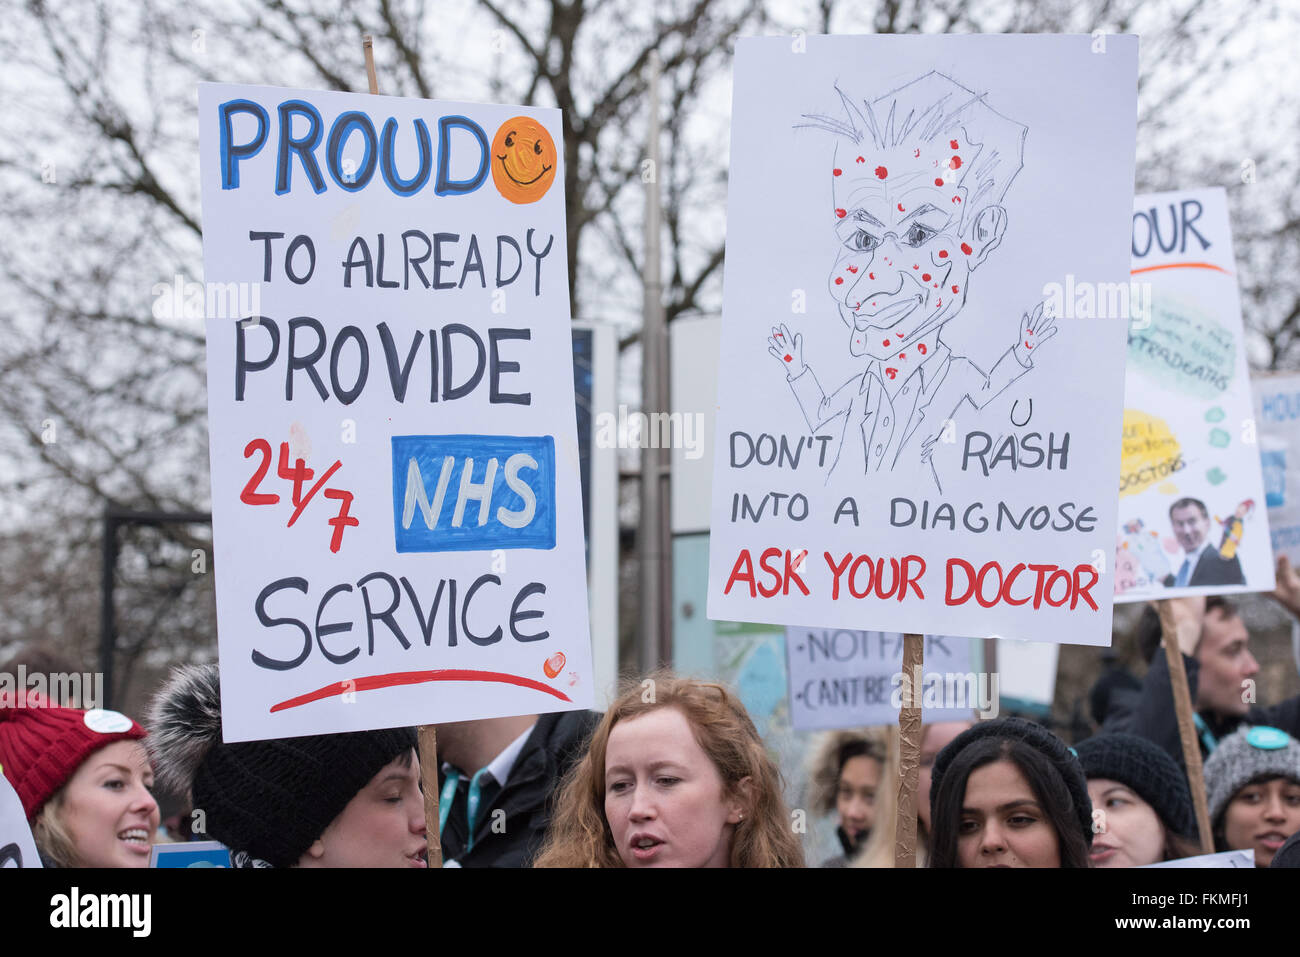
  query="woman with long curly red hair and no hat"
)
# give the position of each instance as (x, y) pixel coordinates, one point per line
(675, 777)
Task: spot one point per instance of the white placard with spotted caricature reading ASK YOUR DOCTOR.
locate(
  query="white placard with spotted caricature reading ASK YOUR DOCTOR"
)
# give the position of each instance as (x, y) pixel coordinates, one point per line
(916, 426)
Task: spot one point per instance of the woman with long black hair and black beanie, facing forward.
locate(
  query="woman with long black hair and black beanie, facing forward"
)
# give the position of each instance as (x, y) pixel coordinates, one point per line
(1009, 794)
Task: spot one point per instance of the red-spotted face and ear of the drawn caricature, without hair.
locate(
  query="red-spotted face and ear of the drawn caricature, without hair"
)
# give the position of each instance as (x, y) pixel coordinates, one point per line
(904, 266)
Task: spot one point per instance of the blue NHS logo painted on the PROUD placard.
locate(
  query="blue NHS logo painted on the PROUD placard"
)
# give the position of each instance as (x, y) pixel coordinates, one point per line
(467, 493)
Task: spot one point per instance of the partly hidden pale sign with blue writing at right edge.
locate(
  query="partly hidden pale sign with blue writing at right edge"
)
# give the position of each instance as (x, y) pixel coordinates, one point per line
(1277, 415)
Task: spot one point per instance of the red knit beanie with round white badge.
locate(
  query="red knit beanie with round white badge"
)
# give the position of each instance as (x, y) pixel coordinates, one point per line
(42, 746)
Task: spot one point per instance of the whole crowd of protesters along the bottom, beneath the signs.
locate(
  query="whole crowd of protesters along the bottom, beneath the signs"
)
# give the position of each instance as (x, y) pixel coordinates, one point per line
(675, 774)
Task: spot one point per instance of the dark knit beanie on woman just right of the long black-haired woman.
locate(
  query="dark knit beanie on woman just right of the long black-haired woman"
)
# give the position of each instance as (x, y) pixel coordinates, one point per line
(1146, 768)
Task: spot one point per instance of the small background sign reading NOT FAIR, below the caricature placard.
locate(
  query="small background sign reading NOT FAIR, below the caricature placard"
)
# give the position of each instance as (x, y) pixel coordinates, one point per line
(844, 679)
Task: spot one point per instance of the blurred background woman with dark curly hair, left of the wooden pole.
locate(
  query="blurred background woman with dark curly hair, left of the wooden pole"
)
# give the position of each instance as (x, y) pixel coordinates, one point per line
(846, 776)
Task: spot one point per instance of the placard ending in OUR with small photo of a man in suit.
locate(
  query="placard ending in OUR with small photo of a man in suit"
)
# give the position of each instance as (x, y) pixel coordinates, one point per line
(1191, 496)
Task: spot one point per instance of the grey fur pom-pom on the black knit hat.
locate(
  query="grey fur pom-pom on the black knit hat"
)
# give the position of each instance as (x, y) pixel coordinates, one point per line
(185, 724)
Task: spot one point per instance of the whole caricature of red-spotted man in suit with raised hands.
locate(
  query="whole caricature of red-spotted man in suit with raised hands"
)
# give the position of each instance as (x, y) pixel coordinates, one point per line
(918, 180)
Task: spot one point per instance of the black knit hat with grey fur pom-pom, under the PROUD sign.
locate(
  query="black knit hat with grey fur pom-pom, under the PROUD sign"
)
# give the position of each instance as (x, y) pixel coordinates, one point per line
(267, 799)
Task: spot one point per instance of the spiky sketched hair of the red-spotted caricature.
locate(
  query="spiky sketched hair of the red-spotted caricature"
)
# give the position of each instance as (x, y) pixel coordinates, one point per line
(934, 109)
